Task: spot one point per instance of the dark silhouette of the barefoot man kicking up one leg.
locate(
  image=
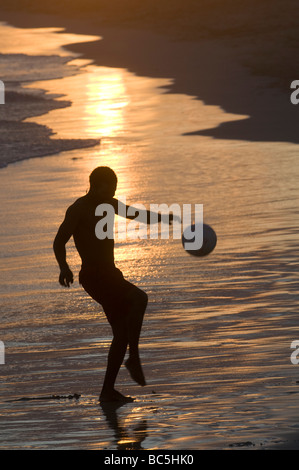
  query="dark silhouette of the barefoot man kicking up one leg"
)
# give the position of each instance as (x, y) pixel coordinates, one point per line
(124, 304)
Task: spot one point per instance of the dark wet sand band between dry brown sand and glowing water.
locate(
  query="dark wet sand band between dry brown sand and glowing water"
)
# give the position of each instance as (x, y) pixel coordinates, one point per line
(211, 70)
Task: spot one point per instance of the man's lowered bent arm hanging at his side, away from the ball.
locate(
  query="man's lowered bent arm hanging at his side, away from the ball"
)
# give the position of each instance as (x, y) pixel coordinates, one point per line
(64, 233)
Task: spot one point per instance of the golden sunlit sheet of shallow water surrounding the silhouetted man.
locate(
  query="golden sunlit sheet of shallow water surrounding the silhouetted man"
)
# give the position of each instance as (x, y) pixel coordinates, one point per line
(216, 340)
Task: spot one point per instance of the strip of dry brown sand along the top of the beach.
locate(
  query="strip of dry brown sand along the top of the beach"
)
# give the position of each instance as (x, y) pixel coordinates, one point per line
(262, 35)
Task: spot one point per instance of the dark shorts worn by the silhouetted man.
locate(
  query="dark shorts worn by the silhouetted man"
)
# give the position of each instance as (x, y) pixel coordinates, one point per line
(109, 288)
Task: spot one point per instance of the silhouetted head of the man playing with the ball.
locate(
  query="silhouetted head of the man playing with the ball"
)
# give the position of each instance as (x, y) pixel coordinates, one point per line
(103, 182)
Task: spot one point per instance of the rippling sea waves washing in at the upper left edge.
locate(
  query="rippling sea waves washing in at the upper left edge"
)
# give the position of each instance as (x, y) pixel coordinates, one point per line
(20, 139)
